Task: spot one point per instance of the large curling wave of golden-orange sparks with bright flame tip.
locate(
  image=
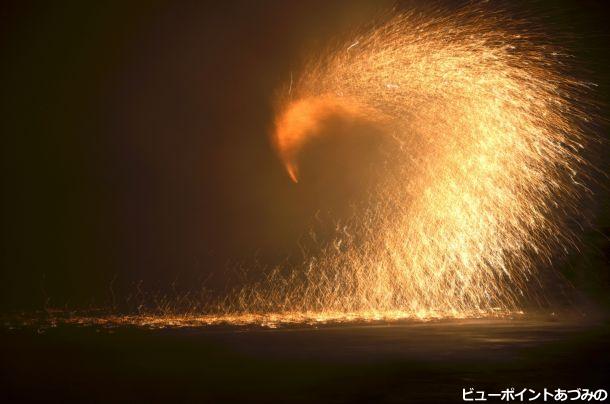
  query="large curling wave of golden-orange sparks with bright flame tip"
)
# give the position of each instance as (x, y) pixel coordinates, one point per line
(488, 134)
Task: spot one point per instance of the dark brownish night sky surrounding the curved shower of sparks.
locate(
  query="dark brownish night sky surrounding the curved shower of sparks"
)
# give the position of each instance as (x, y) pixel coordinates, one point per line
(135, 140)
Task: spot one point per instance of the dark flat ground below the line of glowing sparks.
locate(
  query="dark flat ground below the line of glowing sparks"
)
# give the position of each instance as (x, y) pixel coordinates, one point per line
(410, 362)
